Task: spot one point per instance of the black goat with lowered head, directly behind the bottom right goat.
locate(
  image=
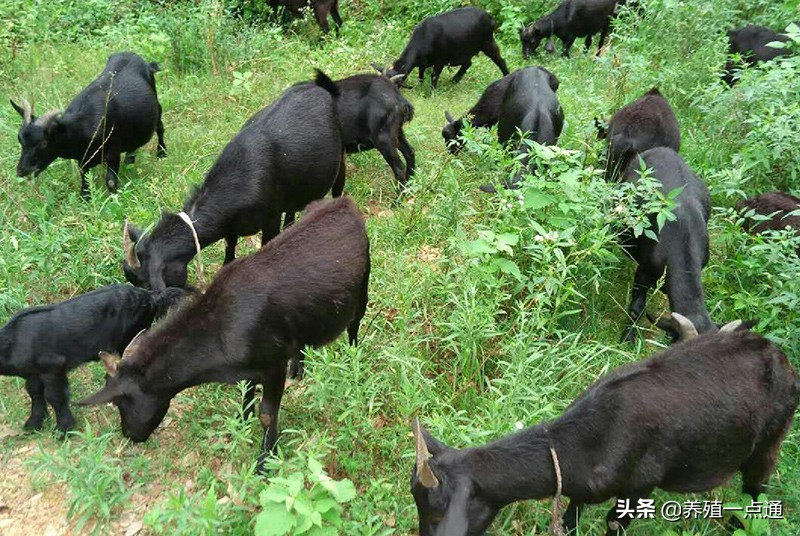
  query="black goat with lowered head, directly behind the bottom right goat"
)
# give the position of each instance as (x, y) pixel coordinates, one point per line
(682, 246)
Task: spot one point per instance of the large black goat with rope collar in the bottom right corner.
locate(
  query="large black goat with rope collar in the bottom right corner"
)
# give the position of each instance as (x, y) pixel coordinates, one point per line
(685, 420)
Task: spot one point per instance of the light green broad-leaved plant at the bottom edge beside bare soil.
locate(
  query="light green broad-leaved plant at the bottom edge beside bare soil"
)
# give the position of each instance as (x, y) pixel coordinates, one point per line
(308, 502)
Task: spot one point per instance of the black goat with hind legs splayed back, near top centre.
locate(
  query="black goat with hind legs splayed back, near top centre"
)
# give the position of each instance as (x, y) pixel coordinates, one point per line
(450, 38)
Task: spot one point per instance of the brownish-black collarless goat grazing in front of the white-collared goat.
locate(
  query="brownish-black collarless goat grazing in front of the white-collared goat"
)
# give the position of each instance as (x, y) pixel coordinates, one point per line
(302, 288)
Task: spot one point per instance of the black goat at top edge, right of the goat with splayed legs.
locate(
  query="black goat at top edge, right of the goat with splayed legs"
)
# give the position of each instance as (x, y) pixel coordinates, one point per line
(570, 20)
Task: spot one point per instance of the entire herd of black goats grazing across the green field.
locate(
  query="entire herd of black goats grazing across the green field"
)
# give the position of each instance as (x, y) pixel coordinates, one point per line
(717, 401)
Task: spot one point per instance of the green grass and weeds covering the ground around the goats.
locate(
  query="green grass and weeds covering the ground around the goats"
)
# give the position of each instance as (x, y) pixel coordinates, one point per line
(469, 351)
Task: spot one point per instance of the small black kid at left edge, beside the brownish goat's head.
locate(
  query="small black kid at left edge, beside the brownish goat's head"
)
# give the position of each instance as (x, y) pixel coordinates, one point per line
(42, 344)
